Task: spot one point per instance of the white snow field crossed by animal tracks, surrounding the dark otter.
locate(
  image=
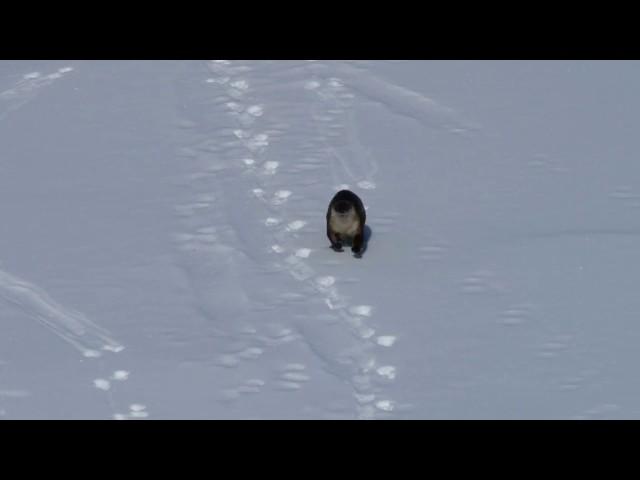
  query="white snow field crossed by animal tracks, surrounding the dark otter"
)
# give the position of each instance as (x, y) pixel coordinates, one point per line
(163, 251)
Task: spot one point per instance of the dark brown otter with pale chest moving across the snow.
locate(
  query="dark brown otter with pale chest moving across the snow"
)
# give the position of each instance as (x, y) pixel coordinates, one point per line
(346, 217)
